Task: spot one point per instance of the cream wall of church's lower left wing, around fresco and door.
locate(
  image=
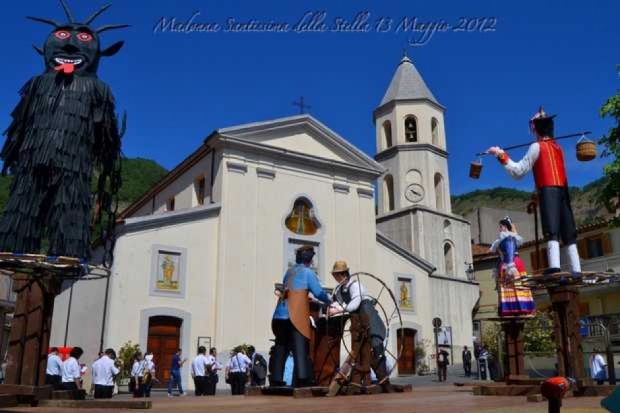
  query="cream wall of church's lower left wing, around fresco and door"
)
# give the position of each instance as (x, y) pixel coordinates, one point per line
(131, 302)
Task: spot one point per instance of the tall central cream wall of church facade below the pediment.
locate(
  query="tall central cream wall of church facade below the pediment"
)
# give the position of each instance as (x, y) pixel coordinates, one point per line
(254, 237)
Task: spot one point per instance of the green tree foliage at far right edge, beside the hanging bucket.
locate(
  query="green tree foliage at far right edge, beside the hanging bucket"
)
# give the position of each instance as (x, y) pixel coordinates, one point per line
(609, 194)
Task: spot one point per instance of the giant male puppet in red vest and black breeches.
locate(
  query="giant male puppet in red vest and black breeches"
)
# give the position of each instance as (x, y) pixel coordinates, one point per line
(546, 159)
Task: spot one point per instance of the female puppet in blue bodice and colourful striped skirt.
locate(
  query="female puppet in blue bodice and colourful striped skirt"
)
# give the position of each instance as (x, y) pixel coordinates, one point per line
(513, 299)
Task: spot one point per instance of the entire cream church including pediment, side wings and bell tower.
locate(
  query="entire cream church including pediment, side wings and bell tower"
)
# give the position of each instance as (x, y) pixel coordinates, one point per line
(197, 256)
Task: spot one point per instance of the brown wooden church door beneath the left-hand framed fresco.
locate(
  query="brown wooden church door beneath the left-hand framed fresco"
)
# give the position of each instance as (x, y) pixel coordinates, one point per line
(163, 340)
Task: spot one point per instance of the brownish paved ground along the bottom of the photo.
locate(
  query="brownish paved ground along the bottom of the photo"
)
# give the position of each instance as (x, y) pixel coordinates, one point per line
(427, 395)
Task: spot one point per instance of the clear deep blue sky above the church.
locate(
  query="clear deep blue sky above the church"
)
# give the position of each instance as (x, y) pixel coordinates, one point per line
(178, 87)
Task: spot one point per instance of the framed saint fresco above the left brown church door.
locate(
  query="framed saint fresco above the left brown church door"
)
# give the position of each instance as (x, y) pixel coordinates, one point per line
(168, 271)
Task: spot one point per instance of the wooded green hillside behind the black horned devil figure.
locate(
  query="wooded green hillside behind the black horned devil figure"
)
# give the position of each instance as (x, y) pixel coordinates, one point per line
(138, 176)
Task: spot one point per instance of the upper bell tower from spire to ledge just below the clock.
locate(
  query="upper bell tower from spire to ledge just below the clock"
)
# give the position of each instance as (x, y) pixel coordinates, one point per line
(411, 144)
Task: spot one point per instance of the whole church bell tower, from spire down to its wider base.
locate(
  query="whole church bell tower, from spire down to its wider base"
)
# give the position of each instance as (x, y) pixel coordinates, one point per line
(414, 207)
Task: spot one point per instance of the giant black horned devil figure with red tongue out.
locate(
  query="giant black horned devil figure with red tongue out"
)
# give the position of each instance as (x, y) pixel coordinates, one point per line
(64, 130)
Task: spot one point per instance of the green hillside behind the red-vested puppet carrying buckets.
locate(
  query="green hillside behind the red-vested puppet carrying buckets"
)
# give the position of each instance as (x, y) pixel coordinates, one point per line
(586, 207)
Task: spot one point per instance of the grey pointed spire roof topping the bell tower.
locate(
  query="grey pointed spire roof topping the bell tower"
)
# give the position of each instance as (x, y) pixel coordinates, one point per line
(407, 84)
